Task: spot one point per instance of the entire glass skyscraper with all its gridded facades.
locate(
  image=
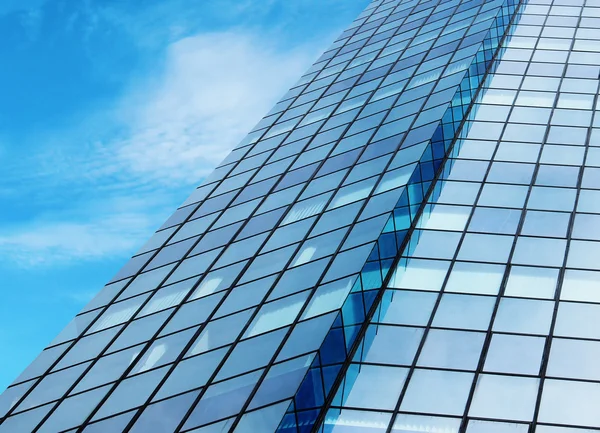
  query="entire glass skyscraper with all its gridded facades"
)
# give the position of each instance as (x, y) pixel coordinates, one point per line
(407, 242)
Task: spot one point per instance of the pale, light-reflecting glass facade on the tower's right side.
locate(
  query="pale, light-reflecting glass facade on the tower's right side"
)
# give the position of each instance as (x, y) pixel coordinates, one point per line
(492, 321)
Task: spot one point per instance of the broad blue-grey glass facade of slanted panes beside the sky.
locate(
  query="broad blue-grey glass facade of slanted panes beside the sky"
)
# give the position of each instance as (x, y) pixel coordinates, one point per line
(220, 289)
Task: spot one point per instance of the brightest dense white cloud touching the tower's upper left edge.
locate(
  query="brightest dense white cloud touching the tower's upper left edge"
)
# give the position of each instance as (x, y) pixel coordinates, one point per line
(214, 89)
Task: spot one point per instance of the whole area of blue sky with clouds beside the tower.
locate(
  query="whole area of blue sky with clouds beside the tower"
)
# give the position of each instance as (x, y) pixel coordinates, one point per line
(111, 112)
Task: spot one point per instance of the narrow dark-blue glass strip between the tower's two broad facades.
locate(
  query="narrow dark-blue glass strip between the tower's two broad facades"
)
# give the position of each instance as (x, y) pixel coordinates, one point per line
(340, 342)
